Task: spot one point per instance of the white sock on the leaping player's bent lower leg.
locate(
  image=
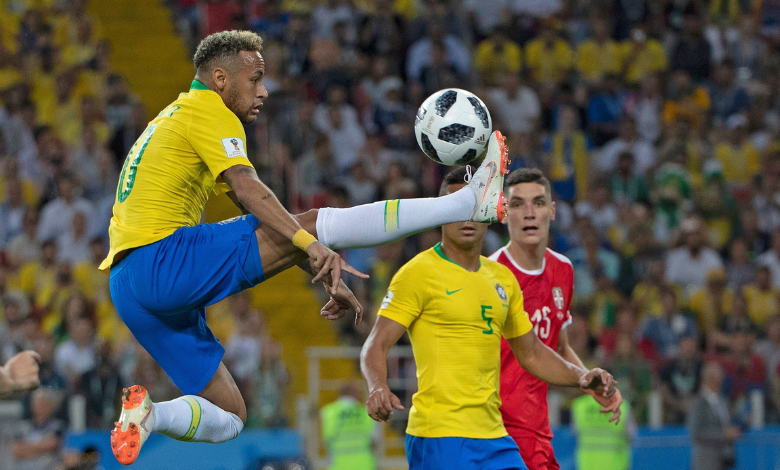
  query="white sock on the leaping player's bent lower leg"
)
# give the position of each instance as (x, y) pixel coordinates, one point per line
(195, 419)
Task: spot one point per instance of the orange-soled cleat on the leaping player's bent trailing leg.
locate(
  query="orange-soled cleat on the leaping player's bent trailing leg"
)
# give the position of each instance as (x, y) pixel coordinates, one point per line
(134, 426)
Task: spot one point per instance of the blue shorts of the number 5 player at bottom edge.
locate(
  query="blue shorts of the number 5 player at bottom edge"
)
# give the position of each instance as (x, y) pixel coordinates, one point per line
(460, 453)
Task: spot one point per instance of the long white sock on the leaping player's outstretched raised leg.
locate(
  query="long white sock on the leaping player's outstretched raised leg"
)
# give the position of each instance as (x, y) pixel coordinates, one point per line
(387, 221)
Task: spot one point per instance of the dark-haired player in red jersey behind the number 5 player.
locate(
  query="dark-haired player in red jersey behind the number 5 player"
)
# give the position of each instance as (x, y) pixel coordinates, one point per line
(547, 281)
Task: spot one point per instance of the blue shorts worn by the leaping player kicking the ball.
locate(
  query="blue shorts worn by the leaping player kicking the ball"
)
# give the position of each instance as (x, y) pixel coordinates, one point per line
(161, 292)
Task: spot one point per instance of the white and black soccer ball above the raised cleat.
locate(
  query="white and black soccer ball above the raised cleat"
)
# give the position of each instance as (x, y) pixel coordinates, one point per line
(452, 126)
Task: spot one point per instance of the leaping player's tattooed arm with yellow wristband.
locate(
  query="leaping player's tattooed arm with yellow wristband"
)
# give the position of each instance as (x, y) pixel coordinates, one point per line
(257, 199)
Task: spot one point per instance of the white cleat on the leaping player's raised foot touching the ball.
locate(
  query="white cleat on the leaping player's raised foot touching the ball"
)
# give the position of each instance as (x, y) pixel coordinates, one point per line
(488, 182)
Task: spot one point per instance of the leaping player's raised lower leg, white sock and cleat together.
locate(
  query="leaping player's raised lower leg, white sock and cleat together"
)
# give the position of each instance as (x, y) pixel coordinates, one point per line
(387, 221)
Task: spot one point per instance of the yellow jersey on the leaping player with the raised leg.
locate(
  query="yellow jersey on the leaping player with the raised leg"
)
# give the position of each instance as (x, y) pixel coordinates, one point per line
(173, 167)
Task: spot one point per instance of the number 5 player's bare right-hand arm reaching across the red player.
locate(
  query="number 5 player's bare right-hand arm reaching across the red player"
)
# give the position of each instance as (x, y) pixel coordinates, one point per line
(545, 364)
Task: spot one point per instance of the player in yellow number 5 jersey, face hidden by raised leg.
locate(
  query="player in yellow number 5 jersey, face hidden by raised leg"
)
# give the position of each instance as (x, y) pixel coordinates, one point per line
(456, 306)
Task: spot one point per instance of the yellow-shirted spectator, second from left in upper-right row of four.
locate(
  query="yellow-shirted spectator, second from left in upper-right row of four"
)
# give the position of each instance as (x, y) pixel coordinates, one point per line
(548, 56)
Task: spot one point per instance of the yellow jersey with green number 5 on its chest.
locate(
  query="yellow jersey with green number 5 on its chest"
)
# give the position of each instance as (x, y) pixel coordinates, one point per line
(455, 320)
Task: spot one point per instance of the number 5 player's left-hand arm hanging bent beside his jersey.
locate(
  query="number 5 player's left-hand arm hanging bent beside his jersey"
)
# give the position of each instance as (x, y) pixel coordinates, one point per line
(373, 364)
